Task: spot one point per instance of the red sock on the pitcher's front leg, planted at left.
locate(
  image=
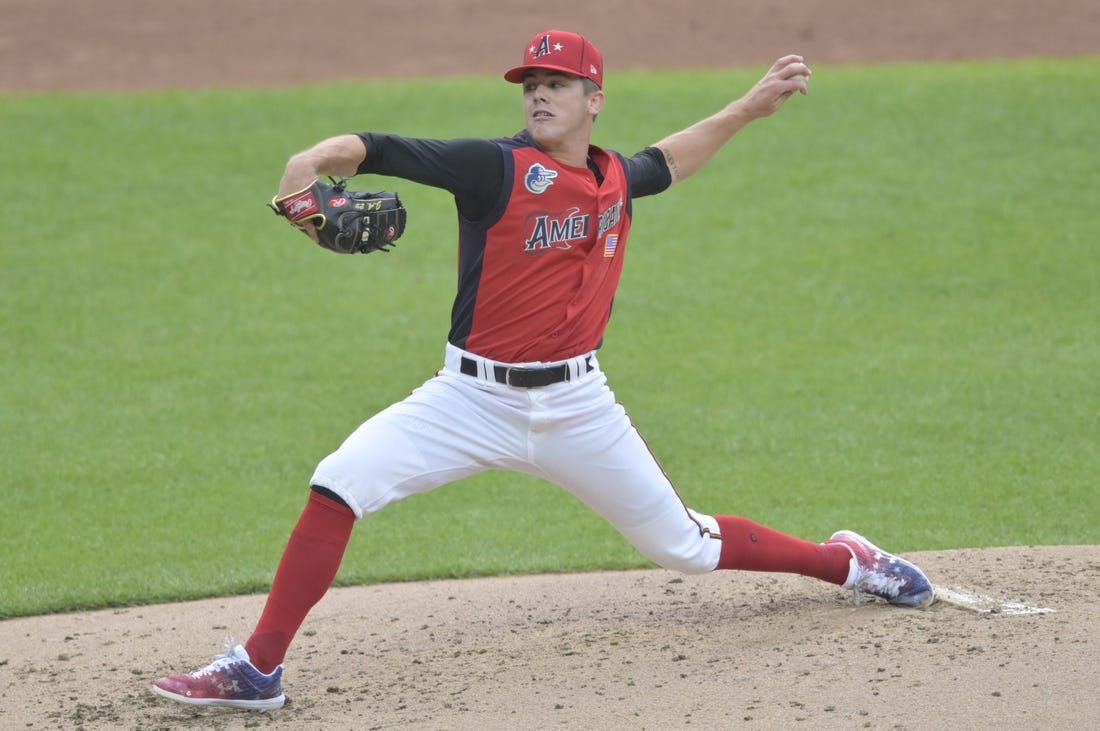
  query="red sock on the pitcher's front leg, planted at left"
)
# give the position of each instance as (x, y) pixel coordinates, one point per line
(305, 573)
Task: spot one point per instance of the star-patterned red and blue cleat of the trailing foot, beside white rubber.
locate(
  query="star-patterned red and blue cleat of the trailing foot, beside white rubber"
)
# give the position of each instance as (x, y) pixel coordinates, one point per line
(883, 574)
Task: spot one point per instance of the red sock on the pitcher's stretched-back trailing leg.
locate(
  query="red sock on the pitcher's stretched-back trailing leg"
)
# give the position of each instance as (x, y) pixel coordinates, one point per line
(754, 548)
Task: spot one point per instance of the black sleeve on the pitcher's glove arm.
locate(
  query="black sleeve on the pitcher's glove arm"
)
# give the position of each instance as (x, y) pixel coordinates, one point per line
(472, 170)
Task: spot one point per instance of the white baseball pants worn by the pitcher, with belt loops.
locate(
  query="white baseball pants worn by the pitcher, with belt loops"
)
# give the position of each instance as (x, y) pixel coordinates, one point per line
(574, 435)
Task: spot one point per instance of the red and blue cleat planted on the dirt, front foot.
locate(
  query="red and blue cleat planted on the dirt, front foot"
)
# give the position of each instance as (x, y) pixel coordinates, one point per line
(232, 680)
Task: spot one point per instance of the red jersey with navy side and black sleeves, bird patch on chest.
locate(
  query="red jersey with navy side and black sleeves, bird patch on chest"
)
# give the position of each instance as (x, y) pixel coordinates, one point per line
(541, 260)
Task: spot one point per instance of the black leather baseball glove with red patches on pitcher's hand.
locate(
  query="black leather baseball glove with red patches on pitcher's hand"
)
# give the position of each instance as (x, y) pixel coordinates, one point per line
(347, 221)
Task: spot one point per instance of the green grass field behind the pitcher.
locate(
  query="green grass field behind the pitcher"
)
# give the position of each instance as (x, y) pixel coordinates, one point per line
(877, 311)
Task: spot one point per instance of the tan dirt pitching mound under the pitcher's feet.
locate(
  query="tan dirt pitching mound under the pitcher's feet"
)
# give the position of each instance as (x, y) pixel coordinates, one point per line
(636, 650)
